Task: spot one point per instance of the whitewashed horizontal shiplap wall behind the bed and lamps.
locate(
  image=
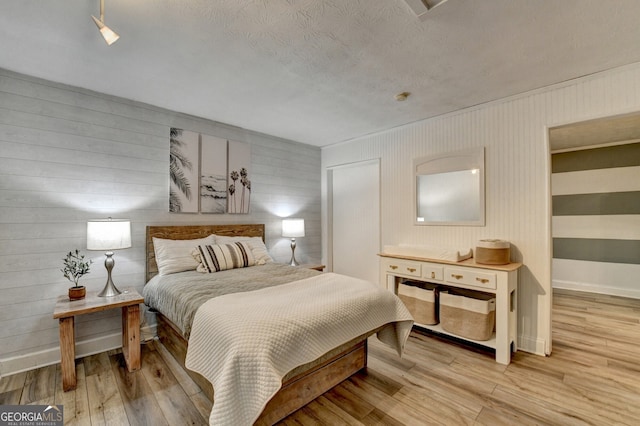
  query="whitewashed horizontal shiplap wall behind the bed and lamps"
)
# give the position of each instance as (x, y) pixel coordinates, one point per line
(68, 155)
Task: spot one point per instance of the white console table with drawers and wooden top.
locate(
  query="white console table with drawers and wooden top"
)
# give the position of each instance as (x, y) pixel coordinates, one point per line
(501, 280)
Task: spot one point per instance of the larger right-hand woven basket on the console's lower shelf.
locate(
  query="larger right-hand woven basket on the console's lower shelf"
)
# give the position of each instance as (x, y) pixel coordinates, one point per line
(468, 315)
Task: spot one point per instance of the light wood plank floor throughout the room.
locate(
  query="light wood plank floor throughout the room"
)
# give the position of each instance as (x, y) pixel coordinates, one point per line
(592, 377)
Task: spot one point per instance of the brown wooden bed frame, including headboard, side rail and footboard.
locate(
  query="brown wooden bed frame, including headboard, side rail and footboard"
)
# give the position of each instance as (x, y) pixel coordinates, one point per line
(299, 388)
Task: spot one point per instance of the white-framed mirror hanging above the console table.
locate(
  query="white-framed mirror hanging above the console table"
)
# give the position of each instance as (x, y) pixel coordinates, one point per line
(449, 189)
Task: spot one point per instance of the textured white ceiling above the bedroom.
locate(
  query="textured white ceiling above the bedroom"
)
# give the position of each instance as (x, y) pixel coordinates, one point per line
(317, 71)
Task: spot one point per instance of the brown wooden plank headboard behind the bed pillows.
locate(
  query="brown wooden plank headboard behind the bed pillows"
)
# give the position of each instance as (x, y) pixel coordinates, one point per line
(190, 232)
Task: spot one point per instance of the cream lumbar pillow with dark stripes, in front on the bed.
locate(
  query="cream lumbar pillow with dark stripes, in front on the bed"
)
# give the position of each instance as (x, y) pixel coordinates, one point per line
(220, 257)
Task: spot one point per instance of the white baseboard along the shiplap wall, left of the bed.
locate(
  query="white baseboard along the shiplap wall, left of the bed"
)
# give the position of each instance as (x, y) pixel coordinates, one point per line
(84, 348)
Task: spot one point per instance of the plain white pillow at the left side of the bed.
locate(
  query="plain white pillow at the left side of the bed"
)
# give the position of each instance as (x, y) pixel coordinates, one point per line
(175, 255)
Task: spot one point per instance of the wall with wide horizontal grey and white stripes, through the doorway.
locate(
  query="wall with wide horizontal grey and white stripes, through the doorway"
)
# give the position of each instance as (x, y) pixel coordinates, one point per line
(596, 219)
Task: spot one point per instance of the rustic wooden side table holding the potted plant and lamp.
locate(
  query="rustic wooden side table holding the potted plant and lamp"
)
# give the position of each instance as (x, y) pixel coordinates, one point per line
(66, 310)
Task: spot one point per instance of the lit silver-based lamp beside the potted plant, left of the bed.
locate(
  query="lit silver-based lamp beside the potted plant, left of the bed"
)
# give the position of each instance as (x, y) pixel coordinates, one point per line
(108, 234)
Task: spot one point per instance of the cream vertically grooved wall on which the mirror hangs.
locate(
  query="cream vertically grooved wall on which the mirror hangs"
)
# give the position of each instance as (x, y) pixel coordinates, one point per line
(514, 132)
